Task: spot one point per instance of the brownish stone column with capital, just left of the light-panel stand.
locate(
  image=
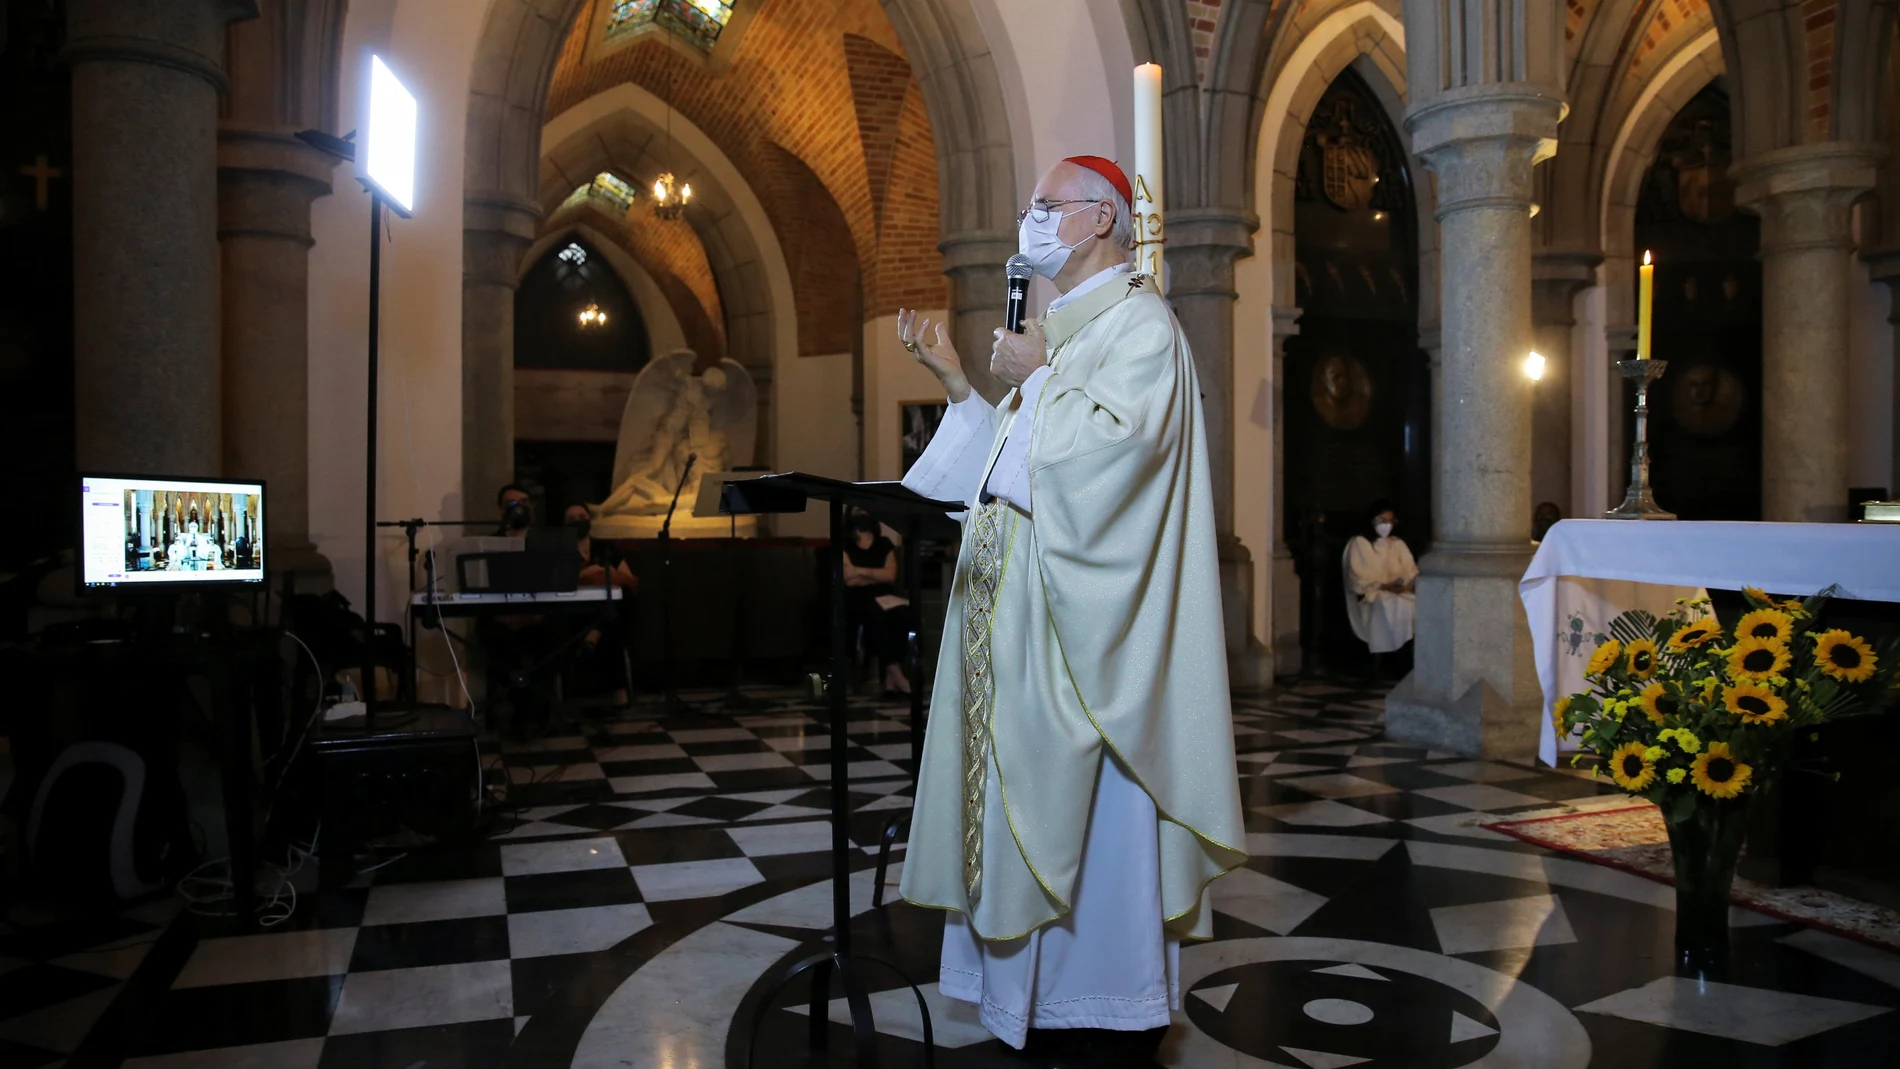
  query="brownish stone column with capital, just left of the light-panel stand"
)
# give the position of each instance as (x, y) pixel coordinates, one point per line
(267, 183)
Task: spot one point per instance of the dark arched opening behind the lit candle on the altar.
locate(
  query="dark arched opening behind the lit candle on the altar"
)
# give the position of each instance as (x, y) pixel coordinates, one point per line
(1705, 415)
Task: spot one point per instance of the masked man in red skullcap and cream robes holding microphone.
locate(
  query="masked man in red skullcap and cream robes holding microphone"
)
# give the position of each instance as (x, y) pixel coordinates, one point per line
(1078, 789)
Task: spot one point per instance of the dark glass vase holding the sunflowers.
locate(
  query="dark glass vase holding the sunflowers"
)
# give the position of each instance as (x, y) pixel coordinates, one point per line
(1707, 844)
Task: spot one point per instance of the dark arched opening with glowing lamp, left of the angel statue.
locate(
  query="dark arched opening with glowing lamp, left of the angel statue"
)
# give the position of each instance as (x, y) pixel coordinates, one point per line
(579, 345)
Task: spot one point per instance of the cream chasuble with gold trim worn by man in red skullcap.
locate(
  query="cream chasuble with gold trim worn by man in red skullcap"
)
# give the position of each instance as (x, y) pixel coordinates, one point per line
(1082, 637)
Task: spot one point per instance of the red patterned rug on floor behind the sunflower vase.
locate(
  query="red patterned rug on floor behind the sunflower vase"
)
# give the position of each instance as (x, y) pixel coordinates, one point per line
(1633, 838)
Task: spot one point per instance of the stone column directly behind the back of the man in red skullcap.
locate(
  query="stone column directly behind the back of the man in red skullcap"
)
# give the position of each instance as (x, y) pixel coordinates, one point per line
(1204, 244)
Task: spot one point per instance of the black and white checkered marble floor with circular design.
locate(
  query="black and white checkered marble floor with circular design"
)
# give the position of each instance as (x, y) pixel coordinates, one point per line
(666, 871)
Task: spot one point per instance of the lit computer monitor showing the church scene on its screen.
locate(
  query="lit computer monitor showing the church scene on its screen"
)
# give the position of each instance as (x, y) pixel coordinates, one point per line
(168, 533)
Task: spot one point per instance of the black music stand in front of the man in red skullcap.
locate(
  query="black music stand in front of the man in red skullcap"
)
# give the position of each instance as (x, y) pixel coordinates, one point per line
(886, 502)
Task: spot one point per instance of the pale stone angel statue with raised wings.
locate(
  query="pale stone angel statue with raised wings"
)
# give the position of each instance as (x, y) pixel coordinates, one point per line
(681, 405)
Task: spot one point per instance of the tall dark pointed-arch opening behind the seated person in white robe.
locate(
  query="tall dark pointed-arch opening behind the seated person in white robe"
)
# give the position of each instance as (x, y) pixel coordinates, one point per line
(1358, 388)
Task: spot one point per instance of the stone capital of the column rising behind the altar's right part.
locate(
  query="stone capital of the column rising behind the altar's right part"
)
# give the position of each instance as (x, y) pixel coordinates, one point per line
(1806, 195)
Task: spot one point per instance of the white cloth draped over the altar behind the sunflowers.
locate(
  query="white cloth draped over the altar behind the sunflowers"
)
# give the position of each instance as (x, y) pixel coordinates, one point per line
(1650, 565)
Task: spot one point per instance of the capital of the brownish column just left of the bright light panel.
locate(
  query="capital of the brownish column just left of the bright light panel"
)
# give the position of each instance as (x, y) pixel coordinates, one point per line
(267, 181)
